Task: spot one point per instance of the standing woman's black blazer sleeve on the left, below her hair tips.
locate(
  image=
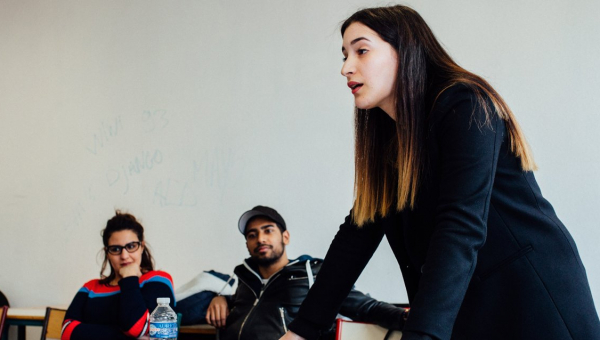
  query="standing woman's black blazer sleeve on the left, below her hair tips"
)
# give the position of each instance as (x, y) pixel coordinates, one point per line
(348, 254)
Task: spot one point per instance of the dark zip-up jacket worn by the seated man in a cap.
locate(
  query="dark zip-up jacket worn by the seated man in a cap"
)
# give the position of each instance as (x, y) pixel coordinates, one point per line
(263, 311)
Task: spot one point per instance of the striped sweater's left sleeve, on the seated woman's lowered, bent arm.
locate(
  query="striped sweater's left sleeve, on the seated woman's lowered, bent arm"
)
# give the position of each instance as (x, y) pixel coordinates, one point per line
(75, 329)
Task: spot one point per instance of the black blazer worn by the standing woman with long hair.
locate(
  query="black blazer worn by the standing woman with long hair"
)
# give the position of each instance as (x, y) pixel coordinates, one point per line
(483, 255)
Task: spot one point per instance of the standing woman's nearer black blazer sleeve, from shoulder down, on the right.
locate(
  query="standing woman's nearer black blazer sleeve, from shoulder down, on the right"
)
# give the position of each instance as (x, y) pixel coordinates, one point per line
(468, 144)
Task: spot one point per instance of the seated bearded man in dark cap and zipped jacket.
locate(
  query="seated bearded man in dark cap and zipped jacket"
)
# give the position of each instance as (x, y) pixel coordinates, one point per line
(271, 288)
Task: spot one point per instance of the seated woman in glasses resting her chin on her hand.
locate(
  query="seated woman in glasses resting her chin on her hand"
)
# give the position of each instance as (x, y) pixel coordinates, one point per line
(118, 306)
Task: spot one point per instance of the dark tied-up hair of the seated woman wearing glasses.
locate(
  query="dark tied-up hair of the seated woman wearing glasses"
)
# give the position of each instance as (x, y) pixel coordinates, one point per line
(123, 221)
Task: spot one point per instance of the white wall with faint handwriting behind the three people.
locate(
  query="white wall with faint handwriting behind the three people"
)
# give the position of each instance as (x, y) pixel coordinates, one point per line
(229, 104)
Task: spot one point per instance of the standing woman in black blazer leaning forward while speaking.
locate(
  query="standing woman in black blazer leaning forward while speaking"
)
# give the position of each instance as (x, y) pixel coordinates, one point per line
(444, 172)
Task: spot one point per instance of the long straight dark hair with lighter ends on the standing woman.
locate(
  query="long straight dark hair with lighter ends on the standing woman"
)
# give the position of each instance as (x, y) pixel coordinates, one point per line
(388, 157)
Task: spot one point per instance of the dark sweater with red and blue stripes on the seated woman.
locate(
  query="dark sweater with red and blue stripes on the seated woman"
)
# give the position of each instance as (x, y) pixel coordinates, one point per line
(116, 312)
